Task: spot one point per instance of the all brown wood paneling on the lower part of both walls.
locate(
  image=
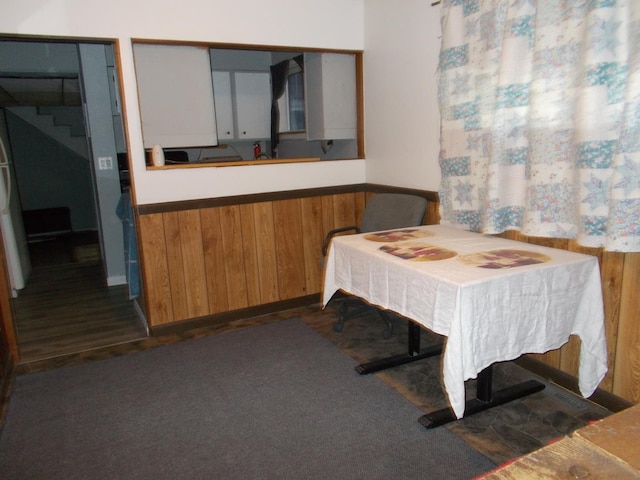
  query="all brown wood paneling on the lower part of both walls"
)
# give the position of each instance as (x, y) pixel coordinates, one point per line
(200, 261)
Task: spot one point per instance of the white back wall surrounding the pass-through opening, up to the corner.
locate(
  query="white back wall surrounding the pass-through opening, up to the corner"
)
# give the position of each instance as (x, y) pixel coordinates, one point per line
(312, 23)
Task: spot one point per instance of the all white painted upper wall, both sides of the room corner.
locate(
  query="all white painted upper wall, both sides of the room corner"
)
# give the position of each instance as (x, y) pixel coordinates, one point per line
(400, 127)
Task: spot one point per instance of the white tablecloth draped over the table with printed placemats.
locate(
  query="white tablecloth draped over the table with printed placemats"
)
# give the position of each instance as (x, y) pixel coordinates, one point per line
(487, 314)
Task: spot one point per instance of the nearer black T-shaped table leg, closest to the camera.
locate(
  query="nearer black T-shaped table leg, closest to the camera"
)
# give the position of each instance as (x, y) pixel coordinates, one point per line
(485, 399)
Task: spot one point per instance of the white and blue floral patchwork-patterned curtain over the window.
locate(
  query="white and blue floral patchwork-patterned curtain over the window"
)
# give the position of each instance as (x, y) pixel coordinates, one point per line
(540, 118)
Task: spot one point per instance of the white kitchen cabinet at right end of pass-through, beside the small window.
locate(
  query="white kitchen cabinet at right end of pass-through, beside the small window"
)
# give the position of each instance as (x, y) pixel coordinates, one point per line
(330, 96)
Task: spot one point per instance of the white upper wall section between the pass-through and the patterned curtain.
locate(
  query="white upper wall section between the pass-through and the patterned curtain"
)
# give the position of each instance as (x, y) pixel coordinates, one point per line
(402, 120)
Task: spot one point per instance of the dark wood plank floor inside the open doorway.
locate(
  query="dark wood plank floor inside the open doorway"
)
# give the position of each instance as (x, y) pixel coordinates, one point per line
(67, 307)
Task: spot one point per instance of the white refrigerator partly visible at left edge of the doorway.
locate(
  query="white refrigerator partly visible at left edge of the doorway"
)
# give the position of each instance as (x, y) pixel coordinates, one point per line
(15, 239)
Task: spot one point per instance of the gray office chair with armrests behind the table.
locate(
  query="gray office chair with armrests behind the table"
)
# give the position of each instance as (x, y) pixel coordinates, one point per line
(384, 211)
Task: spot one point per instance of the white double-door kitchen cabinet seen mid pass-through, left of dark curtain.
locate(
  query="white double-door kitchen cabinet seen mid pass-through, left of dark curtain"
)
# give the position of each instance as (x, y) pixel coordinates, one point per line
(243, 105)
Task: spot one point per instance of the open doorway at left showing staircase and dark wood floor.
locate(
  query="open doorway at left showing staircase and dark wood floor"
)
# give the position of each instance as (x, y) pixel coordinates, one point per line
(67, 158)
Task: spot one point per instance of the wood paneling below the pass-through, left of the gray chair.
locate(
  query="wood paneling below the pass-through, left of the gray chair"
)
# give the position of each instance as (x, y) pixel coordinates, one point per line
(204, 261)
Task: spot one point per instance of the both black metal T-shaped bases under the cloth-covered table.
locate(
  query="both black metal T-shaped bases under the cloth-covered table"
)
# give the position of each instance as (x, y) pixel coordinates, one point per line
(485, 398)
